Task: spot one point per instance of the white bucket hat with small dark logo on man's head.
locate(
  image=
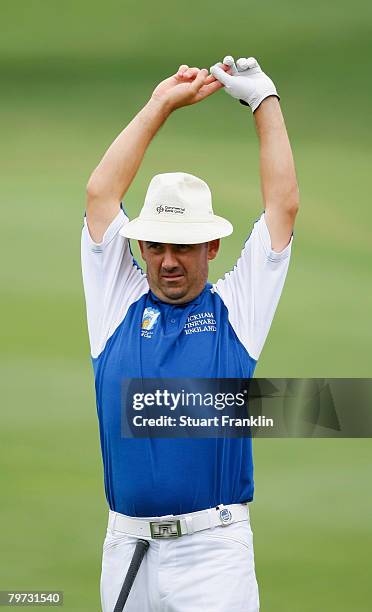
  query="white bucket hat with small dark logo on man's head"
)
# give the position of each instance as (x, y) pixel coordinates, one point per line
(177, 210)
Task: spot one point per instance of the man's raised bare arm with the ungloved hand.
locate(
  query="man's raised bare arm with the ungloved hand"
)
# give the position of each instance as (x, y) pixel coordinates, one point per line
(118, 167)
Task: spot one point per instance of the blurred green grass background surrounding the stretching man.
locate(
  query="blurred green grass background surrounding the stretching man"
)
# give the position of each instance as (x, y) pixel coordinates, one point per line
(72, 75)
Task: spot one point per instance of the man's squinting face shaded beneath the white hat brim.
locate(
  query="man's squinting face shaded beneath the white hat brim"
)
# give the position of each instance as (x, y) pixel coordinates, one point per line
(177, 273)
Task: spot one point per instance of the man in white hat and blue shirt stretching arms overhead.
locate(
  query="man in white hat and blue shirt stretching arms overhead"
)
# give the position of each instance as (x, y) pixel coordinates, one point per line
(171, 323)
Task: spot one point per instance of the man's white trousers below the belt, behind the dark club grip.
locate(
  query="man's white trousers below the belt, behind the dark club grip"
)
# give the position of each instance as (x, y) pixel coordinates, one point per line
(209, 571)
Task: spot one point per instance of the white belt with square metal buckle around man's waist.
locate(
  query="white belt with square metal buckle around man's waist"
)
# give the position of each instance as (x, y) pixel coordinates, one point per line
(175, 526)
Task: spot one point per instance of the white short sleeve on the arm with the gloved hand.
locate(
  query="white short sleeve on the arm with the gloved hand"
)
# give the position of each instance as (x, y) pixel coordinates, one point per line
(251, 291)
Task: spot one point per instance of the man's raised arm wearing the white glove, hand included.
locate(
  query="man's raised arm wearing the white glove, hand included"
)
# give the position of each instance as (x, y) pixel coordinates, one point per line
(246, 82)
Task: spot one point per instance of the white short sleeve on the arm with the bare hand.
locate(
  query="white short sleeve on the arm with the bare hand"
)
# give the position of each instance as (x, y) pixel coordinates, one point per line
(112, 281)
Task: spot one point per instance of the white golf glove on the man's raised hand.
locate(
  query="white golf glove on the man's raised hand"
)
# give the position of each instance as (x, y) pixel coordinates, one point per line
(246, 81)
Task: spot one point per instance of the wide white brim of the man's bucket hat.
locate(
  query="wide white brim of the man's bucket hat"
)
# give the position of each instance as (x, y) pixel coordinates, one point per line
(185, 232)
